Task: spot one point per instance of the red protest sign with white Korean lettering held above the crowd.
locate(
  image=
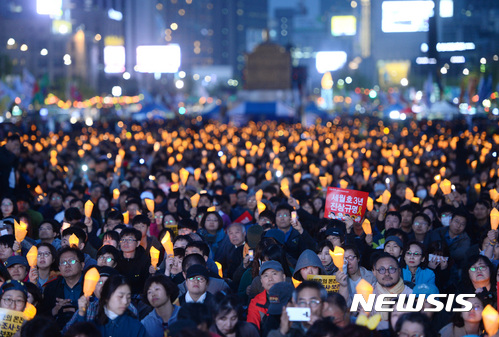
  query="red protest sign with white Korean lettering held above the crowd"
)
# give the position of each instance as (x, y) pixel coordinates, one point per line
(341, 202)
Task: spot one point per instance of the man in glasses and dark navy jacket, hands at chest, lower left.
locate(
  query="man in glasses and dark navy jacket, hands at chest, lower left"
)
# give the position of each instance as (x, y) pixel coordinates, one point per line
(61, 295)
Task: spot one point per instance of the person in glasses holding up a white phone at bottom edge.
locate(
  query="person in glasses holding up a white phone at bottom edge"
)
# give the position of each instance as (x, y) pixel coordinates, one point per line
(309, 294)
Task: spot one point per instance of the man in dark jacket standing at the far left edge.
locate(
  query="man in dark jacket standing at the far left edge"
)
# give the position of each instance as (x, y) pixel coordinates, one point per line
(10, 159)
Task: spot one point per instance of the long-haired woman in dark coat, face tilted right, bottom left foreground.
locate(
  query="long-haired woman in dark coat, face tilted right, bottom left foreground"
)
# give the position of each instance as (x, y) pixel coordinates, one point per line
(113, 316)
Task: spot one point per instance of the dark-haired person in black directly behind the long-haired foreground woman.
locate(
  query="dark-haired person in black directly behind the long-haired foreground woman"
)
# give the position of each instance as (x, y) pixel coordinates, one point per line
(134, 262)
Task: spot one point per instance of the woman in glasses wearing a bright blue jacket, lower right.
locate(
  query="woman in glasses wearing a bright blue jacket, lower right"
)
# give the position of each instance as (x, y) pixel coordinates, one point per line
(414, 265)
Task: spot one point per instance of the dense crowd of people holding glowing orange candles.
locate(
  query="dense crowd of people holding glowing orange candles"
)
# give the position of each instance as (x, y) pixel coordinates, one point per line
(244, 211)
